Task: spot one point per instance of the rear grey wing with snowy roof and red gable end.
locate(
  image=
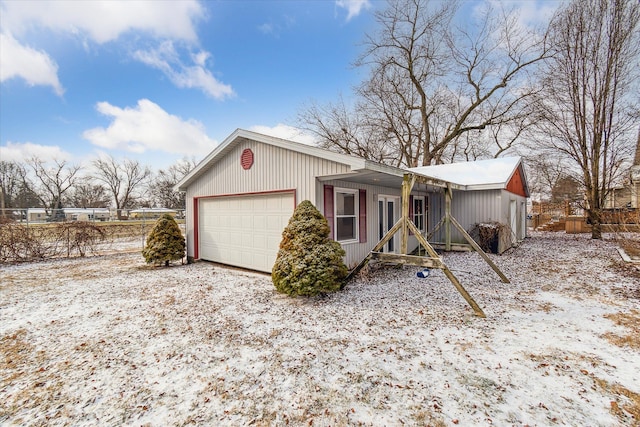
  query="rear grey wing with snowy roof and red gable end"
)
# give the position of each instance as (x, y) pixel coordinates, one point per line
(492, 191)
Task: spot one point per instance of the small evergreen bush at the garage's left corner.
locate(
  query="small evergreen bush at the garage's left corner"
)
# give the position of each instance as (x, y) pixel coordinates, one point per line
(165, 243)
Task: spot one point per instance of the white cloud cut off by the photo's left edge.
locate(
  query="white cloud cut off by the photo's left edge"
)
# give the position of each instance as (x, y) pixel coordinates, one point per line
(35, 67)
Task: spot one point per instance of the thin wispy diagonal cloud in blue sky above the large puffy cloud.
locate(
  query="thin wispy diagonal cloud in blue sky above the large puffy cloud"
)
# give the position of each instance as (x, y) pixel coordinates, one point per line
(166, 59)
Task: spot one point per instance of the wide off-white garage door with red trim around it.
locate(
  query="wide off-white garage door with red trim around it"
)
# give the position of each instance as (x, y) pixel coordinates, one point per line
(244, 231)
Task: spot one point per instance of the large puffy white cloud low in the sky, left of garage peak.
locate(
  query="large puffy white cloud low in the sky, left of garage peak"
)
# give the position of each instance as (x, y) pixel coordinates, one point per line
(147, 127)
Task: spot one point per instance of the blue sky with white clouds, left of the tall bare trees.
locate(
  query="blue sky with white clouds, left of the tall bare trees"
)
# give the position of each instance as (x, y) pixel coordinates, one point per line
(158, 80)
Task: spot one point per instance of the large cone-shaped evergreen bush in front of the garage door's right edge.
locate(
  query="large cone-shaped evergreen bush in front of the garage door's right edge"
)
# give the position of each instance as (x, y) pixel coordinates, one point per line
(308, 262)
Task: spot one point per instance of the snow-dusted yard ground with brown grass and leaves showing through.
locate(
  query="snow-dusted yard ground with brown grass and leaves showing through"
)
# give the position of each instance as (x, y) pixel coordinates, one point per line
(110, 341)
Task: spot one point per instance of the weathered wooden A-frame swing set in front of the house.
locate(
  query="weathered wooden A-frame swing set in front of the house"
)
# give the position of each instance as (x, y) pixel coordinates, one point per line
(405, 225)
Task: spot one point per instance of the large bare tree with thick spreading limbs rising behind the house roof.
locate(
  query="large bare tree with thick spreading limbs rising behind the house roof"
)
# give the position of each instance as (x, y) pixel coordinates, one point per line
(431, 82)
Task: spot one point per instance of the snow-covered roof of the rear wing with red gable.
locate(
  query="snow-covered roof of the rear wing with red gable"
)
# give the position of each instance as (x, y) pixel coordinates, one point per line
(477, 175)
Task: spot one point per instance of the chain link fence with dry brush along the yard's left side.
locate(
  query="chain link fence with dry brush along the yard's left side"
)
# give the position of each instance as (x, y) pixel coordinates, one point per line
(36, 234)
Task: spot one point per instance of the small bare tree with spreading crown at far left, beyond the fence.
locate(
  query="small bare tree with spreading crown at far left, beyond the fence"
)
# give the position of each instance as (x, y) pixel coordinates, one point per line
(53, 180)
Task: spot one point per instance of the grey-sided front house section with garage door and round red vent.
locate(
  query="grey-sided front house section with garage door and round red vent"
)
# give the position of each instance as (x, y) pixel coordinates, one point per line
(241, 196)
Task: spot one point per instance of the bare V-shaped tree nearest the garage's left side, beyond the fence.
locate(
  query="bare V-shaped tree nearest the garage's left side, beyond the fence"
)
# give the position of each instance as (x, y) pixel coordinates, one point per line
(124, 181)
